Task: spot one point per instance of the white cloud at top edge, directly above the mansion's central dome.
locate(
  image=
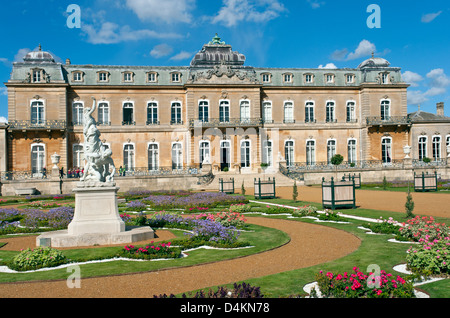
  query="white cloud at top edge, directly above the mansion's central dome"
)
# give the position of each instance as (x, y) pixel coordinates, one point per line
(235, 11)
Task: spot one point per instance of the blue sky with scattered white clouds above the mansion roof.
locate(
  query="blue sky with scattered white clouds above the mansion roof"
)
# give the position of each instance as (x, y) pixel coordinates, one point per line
(413, 35)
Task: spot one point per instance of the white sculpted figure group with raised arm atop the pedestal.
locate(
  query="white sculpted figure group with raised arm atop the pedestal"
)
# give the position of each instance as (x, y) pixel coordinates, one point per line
(99, 165)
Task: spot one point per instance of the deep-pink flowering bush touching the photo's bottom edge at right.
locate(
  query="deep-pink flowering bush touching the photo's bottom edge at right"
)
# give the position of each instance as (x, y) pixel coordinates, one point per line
(360, 285)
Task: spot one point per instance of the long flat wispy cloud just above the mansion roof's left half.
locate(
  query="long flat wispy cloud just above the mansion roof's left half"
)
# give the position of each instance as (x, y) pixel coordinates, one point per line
(110, 33)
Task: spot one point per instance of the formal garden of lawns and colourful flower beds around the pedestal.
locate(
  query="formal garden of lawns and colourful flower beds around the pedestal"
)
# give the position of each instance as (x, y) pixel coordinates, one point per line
(410, 252)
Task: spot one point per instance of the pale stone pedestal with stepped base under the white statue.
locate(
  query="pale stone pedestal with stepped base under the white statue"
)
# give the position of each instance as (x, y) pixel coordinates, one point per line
(96, 220)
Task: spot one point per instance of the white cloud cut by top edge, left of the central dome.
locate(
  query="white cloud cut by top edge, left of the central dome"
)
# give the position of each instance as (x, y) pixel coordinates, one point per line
(168, 11)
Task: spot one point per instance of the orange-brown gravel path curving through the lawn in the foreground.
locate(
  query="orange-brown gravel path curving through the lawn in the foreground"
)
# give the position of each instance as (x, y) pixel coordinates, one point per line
(310, 245)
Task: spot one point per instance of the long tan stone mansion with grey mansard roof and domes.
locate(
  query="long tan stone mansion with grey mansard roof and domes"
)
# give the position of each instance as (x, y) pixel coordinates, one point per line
(216, 110)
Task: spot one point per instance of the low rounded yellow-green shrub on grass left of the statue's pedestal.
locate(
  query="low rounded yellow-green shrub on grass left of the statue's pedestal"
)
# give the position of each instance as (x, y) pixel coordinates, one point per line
(32, 259)
